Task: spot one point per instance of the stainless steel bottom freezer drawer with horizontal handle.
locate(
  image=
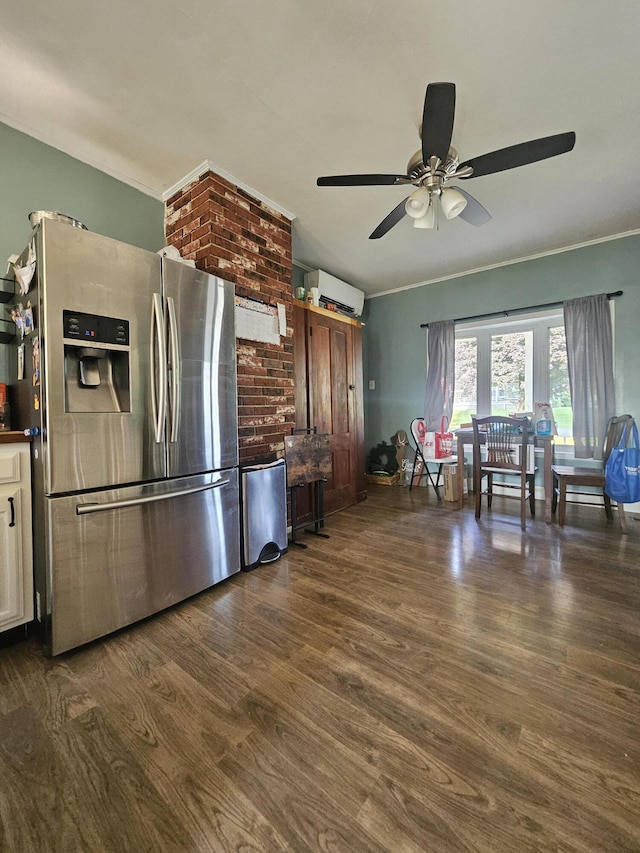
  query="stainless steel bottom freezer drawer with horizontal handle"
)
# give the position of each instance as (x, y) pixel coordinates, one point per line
(118, 556)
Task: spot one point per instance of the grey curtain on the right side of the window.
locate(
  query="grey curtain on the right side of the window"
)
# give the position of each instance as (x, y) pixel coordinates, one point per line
(587, 323)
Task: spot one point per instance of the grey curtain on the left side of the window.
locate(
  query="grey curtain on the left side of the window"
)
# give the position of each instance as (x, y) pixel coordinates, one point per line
(441, 373)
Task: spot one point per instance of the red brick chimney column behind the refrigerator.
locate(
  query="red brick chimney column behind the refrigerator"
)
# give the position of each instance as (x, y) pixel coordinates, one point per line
(231, 234)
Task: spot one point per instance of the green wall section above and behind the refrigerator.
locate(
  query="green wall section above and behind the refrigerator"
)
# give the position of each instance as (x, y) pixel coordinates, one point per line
(34, 176)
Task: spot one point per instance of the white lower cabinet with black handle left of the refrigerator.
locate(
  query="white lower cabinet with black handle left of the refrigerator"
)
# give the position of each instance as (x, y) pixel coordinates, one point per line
(16, 564)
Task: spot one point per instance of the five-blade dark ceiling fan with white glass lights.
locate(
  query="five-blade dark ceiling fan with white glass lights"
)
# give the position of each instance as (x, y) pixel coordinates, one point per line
(436, 164)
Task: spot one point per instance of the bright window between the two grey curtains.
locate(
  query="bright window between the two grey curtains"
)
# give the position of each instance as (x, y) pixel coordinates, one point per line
(509, 365)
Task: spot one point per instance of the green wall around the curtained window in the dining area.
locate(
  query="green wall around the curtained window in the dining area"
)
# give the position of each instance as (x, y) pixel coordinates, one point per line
(395, 346)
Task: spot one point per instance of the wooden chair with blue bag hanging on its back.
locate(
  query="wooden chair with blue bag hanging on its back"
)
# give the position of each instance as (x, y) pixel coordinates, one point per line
(569, 480)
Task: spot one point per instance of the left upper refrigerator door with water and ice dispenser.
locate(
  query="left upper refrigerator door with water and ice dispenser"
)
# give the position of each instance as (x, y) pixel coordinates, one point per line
(97, 403)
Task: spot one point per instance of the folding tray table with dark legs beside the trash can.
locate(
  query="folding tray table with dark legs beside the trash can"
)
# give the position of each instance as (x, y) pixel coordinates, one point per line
(308, 458)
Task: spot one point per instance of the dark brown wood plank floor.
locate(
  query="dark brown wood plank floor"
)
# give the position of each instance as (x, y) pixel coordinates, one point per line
(418, 682)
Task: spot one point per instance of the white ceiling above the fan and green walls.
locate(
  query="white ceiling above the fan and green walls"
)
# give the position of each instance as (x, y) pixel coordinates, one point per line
(278, 92)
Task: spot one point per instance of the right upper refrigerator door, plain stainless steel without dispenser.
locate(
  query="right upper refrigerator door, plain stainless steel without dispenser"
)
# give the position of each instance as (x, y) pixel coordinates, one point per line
(202, 422)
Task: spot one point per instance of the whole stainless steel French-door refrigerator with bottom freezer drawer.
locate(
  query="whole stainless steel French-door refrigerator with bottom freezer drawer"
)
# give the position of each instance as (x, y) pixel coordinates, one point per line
(129, 386)
